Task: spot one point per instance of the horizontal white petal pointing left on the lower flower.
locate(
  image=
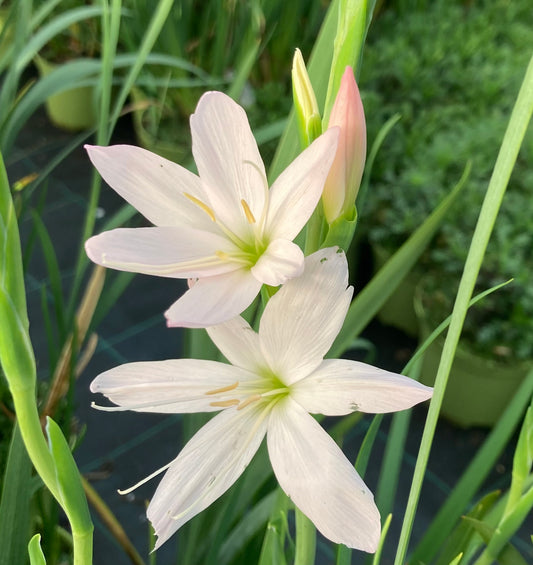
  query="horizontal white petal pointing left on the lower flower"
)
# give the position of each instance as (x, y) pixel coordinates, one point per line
(171, 386)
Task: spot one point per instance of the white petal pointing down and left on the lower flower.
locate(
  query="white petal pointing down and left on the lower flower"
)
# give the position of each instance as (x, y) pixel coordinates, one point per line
(207, 466)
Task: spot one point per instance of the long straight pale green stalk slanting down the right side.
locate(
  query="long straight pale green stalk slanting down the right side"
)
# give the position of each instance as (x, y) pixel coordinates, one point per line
(512, 141)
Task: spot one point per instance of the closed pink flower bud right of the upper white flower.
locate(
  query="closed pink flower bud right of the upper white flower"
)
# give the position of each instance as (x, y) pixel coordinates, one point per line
(345, 174)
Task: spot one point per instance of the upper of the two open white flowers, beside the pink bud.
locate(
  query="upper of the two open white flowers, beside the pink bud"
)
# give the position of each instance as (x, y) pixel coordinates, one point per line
(224, 227)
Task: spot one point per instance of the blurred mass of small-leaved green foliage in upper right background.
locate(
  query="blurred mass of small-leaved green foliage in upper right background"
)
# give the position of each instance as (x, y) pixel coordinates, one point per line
(452, 73)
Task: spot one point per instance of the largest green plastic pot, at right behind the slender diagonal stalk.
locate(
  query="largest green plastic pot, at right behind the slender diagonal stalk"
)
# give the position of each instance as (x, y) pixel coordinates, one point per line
(479, 388)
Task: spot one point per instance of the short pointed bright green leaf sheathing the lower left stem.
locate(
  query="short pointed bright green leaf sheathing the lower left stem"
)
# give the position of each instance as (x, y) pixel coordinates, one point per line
(68, 479)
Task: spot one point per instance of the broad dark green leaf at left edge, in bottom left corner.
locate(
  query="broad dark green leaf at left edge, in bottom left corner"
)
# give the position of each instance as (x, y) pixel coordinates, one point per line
(15, 503)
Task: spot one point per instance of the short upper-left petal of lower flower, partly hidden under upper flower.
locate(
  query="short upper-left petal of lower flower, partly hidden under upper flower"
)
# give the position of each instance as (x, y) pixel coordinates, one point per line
(239, 343)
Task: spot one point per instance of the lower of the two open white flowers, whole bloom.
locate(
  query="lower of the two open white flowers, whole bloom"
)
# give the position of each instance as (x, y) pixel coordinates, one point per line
(277, 377)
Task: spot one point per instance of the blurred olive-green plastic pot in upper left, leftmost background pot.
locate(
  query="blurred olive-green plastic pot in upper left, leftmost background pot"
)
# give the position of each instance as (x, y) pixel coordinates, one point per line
(73, 109)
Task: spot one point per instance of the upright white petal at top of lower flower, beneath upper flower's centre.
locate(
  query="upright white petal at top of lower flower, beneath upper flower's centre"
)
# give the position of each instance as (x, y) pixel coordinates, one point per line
(303, 318)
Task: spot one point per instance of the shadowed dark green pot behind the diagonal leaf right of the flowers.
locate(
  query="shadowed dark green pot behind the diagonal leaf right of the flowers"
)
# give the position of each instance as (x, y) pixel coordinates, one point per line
(398, 311)
